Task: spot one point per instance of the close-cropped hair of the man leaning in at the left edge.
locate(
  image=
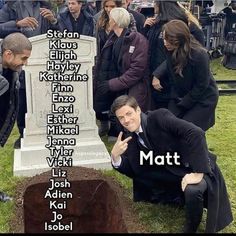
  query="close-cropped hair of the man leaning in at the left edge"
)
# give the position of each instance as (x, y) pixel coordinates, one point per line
(17, 43)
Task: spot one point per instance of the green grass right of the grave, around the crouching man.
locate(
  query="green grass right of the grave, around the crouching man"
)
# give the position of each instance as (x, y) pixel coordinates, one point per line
(222, 141)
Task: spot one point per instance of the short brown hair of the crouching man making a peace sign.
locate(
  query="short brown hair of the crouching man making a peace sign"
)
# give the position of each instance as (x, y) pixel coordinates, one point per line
(123, 101)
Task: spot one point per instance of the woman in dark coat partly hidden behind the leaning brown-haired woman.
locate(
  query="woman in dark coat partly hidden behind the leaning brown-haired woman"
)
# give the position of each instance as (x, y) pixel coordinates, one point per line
(166, 11)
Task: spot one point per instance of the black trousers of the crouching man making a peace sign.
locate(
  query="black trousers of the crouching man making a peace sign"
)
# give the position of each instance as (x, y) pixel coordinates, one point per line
(165, 188)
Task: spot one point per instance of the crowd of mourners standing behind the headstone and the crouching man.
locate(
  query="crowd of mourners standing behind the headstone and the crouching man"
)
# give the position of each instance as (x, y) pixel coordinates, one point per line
(136, 55)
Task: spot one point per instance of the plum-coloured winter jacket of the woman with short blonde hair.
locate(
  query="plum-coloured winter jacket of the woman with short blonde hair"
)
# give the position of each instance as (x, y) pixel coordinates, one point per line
(132, 65)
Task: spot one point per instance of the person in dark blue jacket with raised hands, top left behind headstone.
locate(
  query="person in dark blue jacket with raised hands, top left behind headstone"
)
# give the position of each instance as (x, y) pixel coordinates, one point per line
(30, 18)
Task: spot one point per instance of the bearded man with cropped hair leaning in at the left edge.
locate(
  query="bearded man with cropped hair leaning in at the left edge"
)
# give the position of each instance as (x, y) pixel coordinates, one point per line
(15, 49)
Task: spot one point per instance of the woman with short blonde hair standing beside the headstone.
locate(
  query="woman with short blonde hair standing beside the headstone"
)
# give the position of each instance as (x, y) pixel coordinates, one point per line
(122, 67)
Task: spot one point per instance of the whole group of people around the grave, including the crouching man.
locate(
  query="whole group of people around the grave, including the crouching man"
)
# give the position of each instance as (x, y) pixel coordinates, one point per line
(159, 61)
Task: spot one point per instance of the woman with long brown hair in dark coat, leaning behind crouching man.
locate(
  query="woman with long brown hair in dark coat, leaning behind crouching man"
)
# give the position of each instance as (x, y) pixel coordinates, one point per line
(194, 93)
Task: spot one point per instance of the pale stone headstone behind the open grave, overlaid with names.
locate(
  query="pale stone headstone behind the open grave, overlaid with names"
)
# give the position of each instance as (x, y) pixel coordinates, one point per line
(89, 150)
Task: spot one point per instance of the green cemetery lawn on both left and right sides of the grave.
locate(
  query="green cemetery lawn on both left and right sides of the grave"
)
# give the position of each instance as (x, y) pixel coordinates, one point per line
(159, 219)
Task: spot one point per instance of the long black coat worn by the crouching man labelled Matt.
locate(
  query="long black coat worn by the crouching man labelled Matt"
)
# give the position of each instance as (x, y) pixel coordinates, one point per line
(166, 133)
